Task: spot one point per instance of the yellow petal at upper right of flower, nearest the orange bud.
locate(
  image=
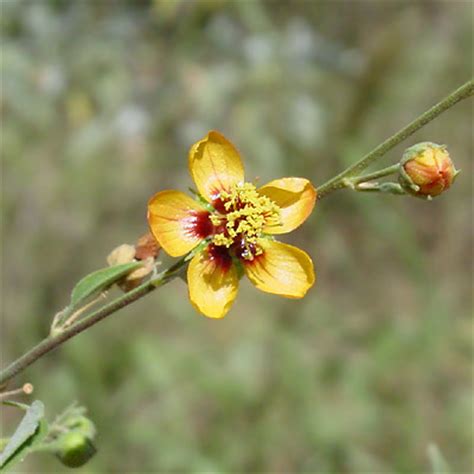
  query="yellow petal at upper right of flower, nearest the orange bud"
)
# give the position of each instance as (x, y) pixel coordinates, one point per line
(295, 197)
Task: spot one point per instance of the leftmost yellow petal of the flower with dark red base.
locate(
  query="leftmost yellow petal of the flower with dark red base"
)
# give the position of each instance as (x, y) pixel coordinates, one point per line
(178, 222)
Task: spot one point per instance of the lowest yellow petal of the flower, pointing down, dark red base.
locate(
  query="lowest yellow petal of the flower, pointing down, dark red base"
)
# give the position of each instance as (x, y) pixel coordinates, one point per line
(212, 282)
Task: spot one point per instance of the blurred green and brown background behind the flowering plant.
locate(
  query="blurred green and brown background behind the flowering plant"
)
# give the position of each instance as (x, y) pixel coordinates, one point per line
(101, 101)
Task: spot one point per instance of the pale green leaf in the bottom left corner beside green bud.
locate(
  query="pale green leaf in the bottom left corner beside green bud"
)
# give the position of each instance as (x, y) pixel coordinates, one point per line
(29, 433)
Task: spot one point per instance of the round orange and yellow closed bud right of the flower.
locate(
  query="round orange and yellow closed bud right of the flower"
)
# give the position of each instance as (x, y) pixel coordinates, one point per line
(426, 170)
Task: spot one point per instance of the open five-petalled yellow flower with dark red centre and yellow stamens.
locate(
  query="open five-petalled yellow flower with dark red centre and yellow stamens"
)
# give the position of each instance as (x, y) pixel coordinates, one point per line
(236, 221)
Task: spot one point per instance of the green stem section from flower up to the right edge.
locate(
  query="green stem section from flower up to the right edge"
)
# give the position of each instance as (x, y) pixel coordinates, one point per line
(340, 181)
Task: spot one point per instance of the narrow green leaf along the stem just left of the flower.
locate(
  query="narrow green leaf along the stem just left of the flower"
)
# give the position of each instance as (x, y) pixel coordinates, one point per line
(99, 280)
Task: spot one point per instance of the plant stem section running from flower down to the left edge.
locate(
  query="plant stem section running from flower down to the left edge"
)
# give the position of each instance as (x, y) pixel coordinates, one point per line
(51, 342)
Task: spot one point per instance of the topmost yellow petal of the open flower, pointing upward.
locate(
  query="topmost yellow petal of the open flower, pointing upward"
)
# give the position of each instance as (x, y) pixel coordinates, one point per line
(215, 165)
